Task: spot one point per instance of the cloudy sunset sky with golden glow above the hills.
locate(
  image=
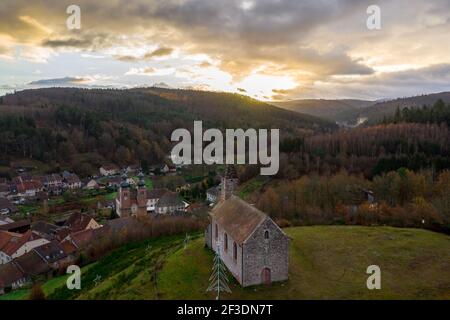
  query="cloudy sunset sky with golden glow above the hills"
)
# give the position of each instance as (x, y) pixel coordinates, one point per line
(267, 49)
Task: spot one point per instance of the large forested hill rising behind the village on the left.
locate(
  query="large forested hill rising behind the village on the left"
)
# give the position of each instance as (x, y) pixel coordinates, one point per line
(83, 128)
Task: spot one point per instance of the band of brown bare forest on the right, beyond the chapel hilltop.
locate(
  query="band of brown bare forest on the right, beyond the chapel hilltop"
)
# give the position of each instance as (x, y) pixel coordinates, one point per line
(368, 150)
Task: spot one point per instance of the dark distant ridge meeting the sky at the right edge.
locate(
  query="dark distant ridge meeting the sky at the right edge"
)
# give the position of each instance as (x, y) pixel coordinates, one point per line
(379, 110)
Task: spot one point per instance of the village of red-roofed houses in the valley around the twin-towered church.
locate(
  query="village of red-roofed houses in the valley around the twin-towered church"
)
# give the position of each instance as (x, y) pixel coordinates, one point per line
(46, 222)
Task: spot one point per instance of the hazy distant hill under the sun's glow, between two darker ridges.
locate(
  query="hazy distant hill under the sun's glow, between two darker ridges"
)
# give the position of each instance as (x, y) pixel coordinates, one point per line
(327, 109)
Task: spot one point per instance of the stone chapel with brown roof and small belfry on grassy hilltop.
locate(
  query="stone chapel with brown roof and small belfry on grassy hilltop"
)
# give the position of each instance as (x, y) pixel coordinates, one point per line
(251, 245)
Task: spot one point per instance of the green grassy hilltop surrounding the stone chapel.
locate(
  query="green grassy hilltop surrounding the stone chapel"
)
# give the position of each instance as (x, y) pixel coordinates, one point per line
(326, 262)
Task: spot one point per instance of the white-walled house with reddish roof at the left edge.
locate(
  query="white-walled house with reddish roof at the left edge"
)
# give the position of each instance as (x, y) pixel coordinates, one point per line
(17, 246)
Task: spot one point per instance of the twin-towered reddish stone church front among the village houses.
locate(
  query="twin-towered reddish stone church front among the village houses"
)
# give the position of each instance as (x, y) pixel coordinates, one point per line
(131, 201)
